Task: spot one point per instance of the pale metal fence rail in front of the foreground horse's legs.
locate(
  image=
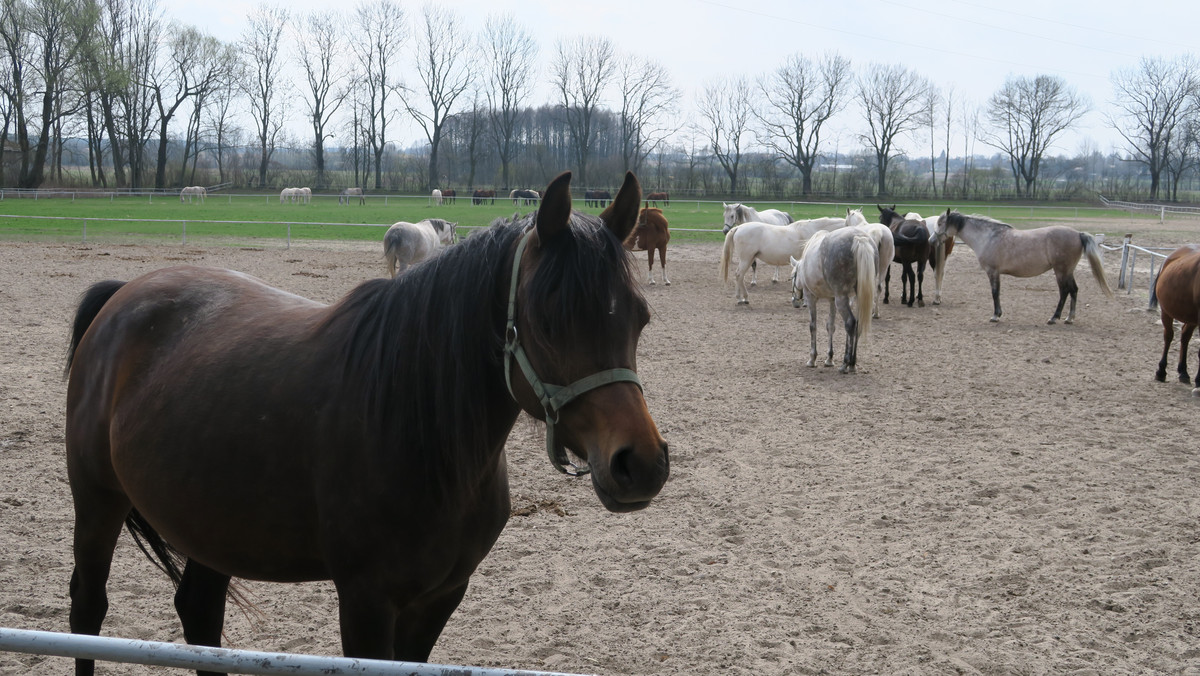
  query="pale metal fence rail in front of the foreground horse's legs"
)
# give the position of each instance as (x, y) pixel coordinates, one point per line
(157, 654)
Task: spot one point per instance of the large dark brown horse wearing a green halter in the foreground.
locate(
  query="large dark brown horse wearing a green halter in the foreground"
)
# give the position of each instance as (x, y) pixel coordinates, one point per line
(239, 430)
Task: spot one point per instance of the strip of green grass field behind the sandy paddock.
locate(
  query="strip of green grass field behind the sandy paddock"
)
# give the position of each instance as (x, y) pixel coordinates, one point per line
(232, 218)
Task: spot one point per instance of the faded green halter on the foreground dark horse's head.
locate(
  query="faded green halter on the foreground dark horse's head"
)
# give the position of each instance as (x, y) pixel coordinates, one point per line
(553, 398)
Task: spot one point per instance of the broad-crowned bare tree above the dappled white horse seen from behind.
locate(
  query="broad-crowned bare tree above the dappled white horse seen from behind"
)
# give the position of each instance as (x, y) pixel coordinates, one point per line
(802, 97)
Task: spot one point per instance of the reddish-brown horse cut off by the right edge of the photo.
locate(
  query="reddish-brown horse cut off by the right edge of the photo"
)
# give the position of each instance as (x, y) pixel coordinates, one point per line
(1178, 296)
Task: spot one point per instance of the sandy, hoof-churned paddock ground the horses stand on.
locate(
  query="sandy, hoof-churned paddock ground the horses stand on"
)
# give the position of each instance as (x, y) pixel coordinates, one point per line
(979, 499)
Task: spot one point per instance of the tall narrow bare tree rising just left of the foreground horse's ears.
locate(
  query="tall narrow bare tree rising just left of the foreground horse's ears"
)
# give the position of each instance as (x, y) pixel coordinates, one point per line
(512, 52)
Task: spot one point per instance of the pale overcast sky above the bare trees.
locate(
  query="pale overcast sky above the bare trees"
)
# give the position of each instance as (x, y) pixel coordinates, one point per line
(971, 46)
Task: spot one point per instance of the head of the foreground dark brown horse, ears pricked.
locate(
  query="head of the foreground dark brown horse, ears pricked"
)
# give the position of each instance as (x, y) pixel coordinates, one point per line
(575, 306)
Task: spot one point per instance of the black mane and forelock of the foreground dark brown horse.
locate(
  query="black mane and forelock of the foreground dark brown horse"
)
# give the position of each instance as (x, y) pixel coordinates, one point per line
(439, 328)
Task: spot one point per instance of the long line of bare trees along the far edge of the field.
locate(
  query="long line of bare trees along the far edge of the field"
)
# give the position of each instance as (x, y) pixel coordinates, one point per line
(155, 104)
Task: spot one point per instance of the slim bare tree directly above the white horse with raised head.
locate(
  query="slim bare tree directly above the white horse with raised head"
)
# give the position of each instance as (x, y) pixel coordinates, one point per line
(725, 111)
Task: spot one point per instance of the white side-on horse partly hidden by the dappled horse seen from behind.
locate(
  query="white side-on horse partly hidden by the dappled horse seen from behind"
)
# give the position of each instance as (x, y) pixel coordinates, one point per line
(772, 244)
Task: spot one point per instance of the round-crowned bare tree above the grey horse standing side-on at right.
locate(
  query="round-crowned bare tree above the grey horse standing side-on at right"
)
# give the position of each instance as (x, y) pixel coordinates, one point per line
(1025, 118)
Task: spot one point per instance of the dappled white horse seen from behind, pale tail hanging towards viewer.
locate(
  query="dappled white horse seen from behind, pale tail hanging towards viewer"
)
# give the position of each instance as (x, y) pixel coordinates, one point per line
(838, 266)
